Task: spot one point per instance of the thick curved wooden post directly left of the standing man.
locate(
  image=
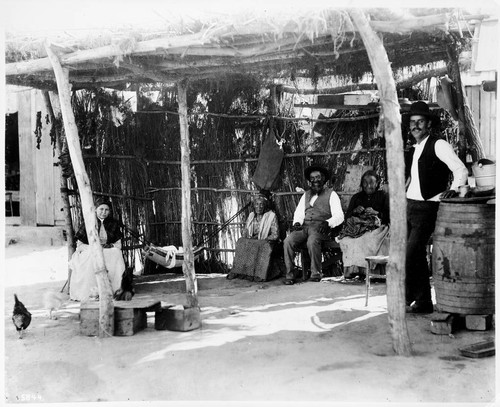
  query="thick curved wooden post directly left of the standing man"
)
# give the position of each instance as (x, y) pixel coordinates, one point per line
(396, 268)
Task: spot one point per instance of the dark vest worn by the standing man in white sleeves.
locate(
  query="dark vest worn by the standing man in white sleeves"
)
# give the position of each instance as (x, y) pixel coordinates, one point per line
(434, 174)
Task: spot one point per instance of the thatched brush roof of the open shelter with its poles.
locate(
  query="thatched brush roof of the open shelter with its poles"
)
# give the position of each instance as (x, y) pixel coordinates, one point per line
(268, 43)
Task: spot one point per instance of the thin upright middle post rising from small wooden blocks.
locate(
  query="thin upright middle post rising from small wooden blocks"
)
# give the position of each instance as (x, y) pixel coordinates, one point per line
(187, 241)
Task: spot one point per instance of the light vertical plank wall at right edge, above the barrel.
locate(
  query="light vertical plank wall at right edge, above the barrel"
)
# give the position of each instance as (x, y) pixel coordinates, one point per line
(484, 110)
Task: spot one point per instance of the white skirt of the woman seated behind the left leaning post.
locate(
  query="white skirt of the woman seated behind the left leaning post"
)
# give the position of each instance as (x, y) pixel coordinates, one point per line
(83, 281)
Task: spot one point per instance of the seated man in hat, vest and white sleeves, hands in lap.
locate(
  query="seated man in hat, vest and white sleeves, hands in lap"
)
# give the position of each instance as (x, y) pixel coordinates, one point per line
(318, 210)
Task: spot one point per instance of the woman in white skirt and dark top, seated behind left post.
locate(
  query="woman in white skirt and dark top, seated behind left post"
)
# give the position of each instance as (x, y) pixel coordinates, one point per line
(83, 282)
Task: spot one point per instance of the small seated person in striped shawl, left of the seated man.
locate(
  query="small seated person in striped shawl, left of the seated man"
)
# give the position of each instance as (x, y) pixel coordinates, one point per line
(255, 248)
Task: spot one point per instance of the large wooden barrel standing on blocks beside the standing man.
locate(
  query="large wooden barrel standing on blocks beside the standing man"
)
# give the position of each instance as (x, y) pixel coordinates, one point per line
(463, 258)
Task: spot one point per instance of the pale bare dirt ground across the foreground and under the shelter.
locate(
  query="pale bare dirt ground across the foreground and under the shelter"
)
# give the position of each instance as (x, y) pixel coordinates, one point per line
(311, 342)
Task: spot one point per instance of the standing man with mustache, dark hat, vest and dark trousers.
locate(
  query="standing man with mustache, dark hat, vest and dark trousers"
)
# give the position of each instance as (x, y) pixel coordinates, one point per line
(428, 166)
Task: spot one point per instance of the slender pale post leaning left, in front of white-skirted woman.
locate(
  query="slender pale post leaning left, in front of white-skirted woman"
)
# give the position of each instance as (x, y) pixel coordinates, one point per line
(106, 307)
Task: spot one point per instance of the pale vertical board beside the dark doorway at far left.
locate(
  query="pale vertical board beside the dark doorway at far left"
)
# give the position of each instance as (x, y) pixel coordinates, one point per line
(27, 186)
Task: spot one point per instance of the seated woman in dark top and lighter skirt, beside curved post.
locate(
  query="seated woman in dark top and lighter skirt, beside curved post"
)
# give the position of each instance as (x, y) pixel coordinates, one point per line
(366, 228)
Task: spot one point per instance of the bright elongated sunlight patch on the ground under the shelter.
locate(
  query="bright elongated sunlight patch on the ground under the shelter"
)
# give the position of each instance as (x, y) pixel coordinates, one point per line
(260, 321)
